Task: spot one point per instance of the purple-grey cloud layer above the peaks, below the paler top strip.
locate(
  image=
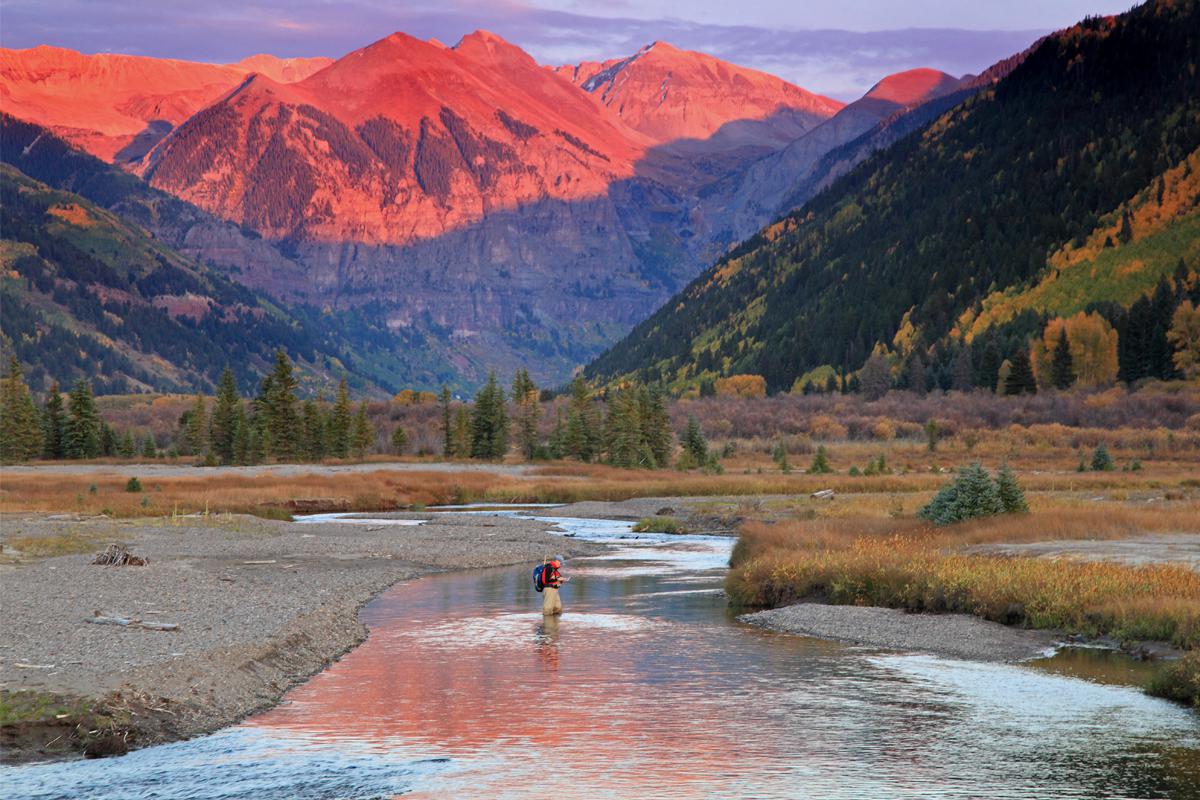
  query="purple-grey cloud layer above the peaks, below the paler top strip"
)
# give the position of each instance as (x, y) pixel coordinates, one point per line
(839, 63)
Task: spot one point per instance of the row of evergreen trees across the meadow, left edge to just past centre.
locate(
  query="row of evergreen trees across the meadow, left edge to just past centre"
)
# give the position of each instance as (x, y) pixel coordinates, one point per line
(632, 429)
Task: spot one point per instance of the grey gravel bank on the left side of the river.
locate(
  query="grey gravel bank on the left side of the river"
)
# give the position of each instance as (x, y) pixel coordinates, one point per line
(261, 606)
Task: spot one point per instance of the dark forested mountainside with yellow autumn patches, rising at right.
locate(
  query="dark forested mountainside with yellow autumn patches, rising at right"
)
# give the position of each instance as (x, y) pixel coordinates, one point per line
(1011, 202)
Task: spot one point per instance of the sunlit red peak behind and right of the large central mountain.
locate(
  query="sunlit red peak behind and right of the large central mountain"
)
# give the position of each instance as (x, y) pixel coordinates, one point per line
(699, 104)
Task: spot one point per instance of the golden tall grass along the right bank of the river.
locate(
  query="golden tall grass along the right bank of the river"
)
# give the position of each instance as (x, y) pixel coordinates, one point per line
(904, 564)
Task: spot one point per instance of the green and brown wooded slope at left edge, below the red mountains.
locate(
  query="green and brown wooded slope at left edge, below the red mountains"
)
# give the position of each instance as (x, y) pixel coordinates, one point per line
(87, 294)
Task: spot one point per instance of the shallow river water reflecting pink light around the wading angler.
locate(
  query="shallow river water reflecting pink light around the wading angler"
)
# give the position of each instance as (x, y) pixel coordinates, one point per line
(647, 688)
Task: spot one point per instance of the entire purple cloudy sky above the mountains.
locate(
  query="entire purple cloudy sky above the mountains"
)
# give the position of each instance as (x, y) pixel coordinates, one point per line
(835, 47)
